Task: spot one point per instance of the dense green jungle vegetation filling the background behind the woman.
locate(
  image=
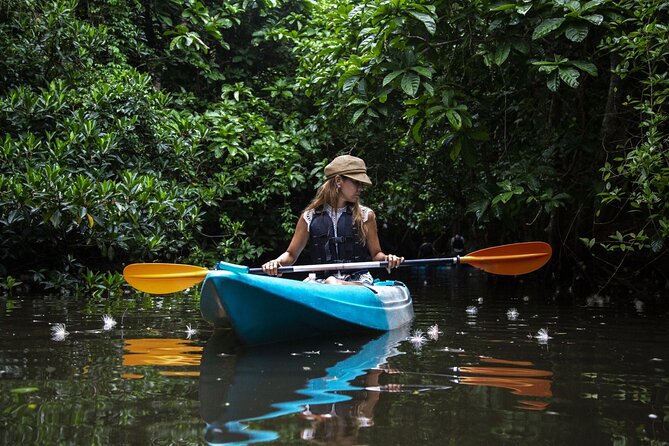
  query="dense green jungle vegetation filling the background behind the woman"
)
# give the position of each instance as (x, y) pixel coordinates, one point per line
(193, 130)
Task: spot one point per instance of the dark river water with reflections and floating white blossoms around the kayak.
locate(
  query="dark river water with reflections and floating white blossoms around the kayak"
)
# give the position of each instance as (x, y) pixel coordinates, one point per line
(481, 376)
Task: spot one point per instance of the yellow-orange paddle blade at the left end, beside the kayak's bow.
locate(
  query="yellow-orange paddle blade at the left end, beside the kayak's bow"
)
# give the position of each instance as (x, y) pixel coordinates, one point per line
(163, 278)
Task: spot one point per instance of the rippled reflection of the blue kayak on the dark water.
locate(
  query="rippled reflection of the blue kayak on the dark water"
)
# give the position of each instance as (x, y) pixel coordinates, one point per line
(241, 385)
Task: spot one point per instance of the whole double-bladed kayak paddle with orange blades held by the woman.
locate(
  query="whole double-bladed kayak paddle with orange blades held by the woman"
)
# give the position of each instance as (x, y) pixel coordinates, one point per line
(509, 260)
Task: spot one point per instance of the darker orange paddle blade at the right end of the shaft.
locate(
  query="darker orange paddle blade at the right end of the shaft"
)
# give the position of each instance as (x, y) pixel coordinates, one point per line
(510, 260)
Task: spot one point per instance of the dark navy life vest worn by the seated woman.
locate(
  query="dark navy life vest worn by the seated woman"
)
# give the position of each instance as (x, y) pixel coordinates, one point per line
(345, 247)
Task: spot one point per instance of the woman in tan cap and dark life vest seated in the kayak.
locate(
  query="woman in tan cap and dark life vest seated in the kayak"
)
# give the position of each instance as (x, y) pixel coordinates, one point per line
(337, 227)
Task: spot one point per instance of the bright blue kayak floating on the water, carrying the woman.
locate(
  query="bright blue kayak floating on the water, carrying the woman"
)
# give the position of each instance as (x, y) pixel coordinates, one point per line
(262, 309)
